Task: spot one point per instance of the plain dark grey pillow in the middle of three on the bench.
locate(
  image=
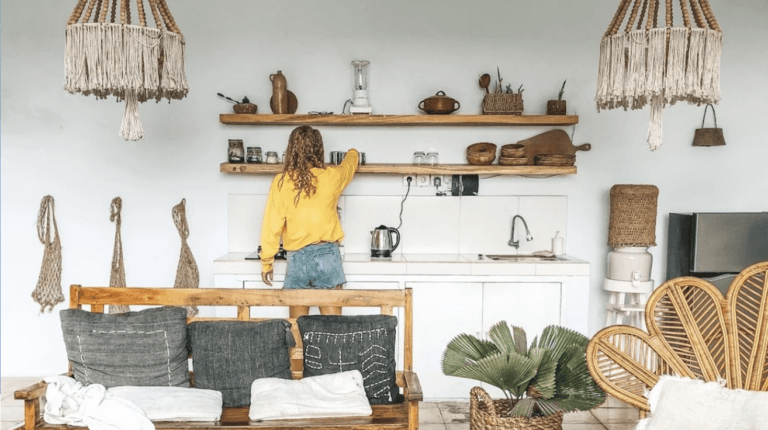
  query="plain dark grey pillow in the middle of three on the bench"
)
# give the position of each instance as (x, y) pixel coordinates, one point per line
(228, 356)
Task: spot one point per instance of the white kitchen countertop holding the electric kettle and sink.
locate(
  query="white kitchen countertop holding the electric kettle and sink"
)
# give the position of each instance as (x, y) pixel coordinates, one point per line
(420, 264)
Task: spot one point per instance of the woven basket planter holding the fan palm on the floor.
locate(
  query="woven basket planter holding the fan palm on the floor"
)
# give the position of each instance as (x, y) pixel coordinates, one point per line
(487, 414)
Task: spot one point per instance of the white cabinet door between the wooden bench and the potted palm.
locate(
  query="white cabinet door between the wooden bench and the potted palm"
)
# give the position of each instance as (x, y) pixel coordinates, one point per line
(440, 313)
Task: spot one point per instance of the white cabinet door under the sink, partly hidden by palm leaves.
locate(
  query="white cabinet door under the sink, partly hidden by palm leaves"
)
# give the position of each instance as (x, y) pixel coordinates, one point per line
(531, 306)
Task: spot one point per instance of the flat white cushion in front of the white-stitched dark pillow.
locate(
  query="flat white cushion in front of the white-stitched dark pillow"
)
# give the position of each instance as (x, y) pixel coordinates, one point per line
(336, 395)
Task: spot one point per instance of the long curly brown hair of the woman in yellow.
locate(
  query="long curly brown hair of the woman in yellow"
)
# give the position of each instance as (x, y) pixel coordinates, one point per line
(305, 151)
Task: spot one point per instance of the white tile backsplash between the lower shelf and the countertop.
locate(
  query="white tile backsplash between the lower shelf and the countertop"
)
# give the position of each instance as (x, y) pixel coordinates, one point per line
(431, 224)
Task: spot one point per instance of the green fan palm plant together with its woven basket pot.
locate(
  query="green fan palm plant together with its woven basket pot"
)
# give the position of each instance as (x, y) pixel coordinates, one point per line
(541, 382)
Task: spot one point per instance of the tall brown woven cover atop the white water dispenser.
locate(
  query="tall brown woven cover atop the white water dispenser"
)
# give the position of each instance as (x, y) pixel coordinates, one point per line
(633, 215)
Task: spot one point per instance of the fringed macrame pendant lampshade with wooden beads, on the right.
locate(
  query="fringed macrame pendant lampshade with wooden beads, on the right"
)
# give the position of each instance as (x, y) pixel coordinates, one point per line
(659, 66)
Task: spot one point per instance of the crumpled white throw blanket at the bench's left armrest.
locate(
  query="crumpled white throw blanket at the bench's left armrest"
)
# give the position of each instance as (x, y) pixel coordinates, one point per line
(69, 402)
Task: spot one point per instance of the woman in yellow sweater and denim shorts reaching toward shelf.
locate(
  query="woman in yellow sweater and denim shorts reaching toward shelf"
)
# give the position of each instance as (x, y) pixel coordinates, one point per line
(302, 209)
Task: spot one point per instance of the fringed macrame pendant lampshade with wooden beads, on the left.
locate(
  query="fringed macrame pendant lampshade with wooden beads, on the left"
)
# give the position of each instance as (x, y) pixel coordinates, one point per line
(132, 62)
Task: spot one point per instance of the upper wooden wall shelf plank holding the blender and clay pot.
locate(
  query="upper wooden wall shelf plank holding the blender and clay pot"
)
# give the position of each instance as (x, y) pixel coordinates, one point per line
(399, 120)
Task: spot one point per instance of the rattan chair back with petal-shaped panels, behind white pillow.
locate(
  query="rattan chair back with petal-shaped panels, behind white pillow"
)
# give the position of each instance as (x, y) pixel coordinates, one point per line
(693, 331)
